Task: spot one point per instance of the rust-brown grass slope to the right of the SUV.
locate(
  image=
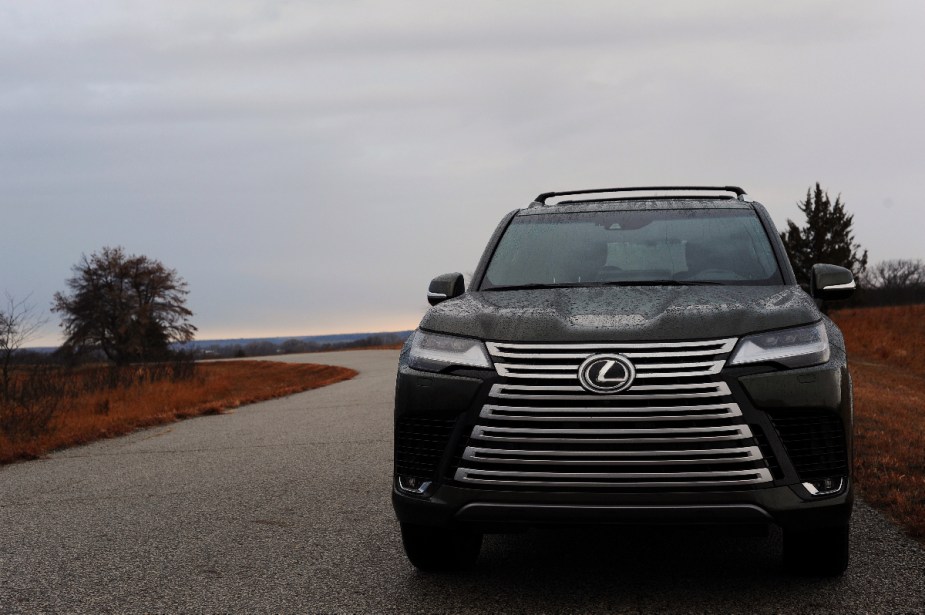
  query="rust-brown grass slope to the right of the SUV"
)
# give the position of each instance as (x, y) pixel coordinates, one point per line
(886, 352)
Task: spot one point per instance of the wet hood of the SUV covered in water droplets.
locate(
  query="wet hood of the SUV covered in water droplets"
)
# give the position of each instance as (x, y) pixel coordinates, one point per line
(622, 313)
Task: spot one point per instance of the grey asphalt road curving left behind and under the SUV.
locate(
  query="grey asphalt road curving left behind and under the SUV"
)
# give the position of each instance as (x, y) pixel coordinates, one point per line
(283, 506)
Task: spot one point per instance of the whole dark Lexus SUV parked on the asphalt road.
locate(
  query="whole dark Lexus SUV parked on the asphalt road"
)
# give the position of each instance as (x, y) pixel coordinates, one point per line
(620, 358)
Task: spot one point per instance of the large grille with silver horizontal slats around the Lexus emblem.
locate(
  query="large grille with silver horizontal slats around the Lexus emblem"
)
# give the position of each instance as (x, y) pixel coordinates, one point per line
(676, 427)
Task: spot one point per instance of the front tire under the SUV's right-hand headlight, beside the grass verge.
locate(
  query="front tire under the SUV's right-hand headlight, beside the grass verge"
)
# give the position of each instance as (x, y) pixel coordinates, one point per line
(816, 552)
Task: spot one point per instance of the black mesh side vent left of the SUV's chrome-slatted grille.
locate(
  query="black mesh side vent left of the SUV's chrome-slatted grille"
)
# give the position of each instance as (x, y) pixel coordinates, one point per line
(419, 445)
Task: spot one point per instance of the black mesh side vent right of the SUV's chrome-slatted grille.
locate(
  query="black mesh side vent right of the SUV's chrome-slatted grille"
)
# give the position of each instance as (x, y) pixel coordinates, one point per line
(814, 440)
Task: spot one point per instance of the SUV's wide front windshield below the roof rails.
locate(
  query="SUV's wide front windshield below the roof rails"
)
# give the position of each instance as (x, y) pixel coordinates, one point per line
(652, 247)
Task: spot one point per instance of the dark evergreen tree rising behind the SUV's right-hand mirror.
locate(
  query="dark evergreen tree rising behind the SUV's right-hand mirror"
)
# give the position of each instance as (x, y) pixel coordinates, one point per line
(826, 238)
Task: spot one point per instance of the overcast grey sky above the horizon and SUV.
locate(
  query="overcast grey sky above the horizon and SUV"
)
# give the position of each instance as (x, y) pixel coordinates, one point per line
(307, 167)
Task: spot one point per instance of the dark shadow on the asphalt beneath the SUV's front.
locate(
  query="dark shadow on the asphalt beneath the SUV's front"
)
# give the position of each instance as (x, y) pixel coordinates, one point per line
(628, 569)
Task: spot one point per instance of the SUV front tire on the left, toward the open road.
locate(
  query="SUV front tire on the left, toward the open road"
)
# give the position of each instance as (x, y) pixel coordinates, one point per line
(435, 549)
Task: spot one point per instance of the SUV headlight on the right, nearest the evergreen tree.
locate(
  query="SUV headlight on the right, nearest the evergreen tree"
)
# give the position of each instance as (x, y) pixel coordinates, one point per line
(797, 347)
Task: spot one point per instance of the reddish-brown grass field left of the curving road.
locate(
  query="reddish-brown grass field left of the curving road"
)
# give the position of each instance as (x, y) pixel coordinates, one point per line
(213, 389)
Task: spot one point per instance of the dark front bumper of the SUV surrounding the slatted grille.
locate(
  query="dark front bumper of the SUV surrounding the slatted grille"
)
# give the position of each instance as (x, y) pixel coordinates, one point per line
(762, 392)
